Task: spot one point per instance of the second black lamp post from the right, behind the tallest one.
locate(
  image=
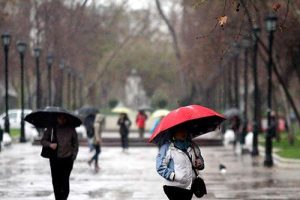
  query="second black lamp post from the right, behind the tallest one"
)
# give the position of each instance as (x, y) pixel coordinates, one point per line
(255, 34)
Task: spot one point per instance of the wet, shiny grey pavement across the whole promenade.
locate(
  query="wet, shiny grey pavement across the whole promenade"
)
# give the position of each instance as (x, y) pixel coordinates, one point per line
(25, 175)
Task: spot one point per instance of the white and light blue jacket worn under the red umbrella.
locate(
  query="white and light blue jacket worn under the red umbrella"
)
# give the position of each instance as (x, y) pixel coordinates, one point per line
(175, 166)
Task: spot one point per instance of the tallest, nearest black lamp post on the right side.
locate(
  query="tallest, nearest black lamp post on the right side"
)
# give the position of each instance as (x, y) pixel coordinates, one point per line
(271, 27)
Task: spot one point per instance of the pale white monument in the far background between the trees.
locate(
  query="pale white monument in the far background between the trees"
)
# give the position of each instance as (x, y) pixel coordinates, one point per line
(134, 91)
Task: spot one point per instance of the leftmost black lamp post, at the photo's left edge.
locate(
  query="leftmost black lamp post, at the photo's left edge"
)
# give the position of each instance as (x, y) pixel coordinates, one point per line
(6, 41)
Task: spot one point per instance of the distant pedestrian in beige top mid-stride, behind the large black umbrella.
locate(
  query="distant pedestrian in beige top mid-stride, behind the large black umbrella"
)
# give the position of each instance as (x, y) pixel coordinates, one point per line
(97, 139)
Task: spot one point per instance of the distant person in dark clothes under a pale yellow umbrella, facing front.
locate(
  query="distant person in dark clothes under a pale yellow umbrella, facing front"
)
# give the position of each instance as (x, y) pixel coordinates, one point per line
(124, 123)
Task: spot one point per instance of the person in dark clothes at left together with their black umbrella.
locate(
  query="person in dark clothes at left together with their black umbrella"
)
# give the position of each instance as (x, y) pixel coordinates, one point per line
(61, 142)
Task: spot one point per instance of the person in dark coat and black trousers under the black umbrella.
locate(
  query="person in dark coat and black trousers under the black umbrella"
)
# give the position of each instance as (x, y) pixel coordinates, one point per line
(64, 141)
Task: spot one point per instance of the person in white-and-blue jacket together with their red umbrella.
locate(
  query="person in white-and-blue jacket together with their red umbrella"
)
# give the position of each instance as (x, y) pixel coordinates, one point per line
(179, 159)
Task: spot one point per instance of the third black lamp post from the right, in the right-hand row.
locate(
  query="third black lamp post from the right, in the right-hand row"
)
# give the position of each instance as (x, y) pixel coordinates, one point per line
(245, 45)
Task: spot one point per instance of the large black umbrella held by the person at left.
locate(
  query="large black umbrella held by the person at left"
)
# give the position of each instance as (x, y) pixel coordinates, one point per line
(48, 117)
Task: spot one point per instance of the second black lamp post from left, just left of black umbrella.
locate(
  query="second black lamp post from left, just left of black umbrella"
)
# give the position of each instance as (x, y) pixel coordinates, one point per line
(21, 46)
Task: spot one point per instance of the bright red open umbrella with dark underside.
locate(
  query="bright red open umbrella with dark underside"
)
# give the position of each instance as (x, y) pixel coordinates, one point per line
(196, 119)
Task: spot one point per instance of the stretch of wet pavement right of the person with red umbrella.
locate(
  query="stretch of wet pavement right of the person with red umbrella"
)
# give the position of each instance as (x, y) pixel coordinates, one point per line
(243, 180)
